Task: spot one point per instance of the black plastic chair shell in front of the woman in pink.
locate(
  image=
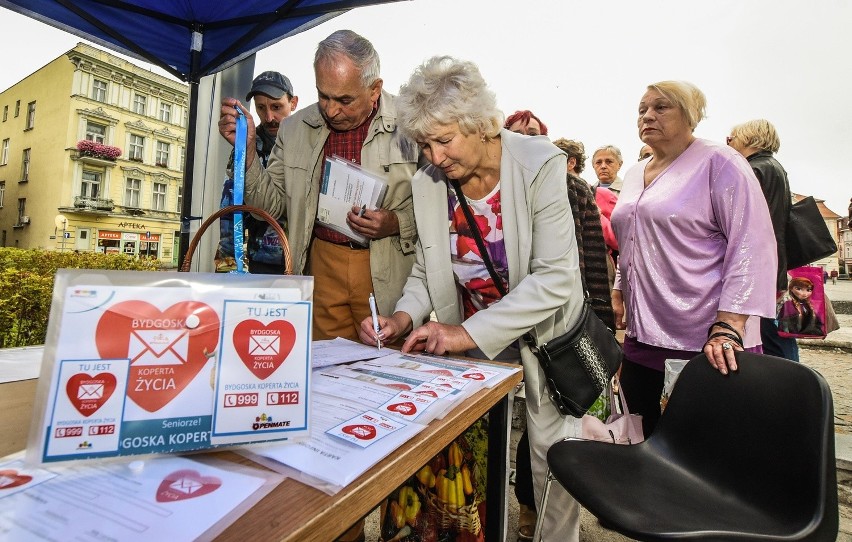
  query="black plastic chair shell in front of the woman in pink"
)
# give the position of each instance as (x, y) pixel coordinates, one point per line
(747, 456)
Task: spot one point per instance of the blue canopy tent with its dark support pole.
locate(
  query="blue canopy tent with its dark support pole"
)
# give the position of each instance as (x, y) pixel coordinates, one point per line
(187, 38)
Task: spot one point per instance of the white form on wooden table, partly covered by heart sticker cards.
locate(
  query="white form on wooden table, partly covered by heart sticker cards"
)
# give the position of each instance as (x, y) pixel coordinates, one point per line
(331, 459)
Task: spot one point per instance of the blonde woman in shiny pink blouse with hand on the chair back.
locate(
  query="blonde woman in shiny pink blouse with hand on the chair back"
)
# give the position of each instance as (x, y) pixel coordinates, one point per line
(697, 249)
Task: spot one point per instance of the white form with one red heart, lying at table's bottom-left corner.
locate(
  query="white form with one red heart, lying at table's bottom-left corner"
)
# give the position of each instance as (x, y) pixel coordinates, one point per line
(171, 498)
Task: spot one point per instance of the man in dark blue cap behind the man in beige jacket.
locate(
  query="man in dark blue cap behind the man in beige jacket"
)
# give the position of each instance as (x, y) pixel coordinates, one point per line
(273, 102)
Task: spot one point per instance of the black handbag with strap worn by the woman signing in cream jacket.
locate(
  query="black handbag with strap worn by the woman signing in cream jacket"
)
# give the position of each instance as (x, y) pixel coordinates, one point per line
(577, 365)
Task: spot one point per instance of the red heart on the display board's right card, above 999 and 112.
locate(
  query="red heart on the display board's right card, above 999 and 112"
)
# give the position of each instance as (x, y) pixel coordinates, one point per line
(263, 348)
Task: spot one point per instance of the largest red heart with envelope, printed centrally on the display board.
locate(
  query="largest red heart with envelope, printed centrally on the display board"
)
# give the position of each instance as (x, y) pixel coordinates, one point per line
(165, 353)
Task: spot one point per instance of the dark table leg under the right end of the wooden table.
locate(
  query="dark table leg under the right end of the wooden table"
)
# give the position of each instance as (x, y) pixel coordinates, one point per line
(496, 495)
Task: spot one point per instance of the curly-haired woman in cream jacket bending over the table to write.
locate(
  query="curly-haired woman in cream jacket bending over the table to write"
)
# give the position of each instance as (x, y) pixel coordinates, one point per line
(516, 189)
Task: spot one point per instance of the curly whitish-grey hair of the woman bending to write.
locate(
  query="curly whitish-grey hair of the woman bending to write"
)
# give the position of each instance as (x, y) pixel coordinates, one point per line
(444, 90)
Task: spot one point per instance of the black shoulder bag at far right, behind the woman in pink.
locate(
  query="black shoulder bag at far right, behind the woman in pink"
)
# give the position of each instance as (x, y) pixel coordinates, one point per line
(807, 237)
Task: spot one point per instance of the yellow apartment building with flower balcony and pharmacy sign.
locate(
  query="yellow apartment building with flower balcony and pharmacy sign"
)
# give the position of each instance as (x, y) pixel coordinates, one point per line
(92, 152)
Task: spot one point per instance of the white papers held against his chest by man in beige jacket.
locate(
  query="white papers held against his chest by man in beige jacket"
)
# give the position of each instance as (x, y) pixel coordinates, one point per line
(346, 185)
